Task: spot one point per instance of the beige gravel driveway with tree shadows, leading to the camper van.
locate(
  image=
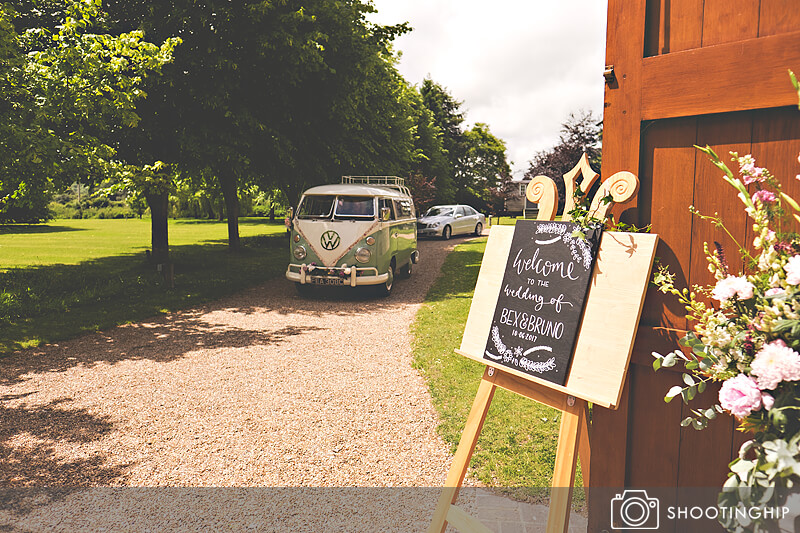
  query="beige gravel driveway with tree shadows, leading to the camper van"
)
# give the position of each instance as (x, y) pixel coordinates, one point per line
(263, 388)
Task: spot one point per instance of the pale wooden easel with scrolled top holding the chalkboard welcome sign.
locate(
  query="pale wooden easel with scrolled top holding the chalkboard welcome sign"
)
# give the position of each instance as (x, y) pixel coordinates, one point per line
(602, 350)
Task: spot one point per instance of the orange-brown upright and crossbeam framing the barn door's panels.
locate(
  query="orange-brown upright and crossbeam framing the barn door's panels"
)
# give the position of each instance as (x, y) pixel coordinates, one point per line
(743, 75)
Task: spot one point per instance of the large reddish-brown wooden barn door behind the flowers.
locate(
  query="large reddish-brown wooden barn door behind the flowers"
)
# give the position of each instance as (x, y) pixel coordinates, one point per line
(687, 72)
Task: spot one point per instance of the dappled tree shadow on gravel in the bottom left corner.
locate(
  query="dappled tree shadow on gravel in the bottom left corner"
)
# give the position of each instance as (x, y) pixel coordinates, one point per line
(30, 438)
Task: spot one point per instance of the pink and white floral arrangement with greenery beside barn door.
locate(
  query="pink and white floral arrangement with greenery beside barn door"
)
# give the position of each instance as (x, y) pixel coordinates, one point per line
(746, 335)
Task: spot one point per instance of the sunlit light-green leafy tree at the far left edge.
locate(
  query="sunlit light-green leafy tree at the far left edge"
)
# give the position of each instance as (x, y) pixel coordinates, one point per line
(65, 90)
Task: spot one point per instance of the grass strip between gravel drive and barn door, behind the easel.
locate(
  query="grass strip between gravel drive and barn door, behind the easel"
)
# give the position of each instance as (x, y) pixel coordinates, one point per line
(517, 447)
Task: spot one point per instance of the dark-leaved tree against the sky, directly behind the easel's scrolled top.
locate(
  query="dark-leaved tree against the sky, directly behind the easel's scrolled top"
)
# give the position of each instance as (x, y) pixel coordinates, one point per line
(581, 133)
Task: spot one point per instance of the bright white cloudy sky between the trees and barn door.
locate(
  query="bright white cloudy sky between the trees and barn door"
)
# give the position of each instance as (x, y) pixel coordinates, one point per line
(519, 66)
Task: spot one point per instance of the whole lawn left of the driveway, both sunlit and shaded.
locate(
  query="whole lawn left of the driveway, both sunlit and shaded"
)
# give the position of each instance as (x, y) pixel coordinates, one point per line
(68, 277)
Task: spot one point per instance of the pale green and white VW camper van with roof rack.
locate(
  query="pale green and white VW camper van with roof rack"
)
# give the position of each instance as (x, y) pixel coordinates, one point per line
(360, 232)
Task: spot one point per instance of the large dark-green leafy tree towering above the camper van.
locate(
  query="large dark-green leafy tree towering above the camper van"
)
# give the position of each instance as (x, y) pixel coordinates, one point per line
(275, 93)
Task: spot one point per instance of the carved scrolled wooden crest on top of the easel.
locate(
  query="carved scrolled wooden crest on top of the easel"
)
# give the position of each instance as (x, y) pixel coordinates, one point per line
(622, 186)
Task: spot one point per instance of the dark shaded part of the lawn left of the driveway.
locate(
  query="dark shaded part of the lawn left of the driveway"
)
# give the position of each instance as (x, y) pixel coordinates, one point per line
(54, 302)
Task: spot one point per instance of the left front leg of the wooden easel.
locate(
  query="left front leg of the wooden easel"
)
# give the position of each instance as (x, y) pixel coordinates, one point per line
(469, 438)
